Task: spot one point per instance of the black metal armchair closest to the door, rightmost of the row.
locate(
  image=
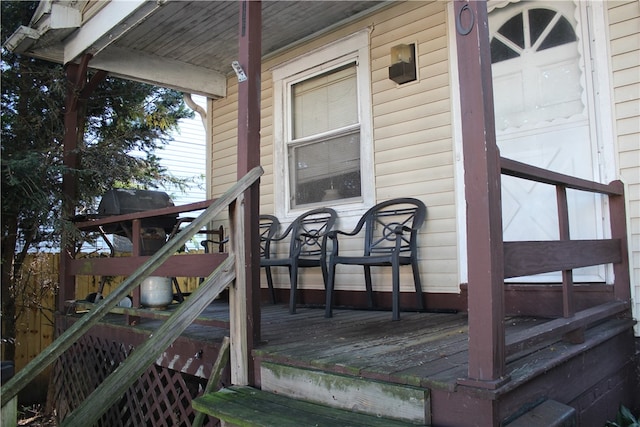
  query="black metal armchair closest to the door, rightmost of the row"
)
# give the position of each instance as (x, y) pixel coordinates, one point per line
(390, 240)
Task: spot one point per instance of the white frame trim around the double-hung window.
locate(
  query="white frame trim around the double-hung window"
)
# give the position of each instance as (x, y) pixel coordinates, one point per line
(354, 47)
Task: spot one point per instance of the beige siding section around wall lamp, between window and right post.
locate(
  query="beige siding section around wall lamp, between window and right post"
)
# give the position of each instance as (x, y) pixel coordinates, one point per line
(412, 132)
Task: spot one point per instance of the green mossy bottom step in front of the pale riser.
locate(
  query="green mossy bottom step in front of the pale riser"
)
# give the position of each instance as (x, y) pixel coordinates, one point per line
(244, 406)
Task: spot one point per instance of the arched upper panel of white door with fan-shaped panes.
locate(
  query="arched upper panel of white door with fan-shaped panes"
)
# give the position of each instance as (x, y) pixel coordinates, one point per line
(536, 68)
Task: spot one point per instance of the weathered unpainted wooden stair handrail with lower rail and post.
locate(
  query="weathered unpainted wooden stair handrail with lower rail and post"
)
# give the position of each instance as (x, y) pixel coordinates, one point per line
(113, 387)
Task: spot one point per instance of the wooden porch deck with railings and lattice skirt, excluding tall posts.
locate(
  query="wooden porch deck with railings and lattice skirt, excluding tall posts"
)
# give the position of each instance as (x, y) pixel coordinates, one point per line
(582, 359)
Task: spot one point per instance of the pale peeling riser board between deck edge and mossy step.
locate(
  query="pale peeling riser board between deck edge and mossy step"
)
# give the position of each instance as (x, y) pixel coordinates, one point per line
(397, 401)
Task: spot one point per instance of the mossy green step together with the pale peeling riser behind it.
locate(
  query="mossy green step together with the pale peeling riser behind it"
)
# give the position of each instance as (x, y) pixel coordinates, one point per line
(296, 396)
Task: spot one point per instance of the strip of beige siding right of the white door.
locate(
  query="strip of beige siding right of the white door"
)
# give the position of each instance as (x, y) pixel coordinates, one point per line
(624, 34)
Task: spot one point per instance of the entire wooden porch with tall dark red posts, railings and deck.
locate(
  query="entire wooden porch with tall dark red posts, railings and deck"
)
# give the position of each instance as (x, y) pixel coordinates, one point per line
(484, 371)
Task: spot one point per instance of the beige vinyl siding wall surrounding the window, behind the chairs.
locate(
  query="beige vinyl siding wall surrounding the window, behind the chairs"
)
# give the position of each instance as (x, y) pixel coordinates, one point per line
(413, 146)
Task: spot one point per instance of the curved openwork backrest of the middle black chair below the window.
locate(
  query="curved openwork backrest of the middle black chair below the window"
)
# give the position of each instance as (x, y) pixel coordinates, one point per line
(307, 232)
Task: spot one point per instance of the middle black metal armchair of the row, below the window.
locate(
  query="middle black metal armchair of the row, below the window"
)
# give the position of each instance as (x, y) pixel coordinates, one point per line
(306, 248)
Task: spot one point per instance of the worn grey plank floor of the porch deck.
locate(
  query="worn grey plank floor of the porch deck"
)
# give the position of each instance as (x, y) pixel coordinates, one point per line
(428, 350)
